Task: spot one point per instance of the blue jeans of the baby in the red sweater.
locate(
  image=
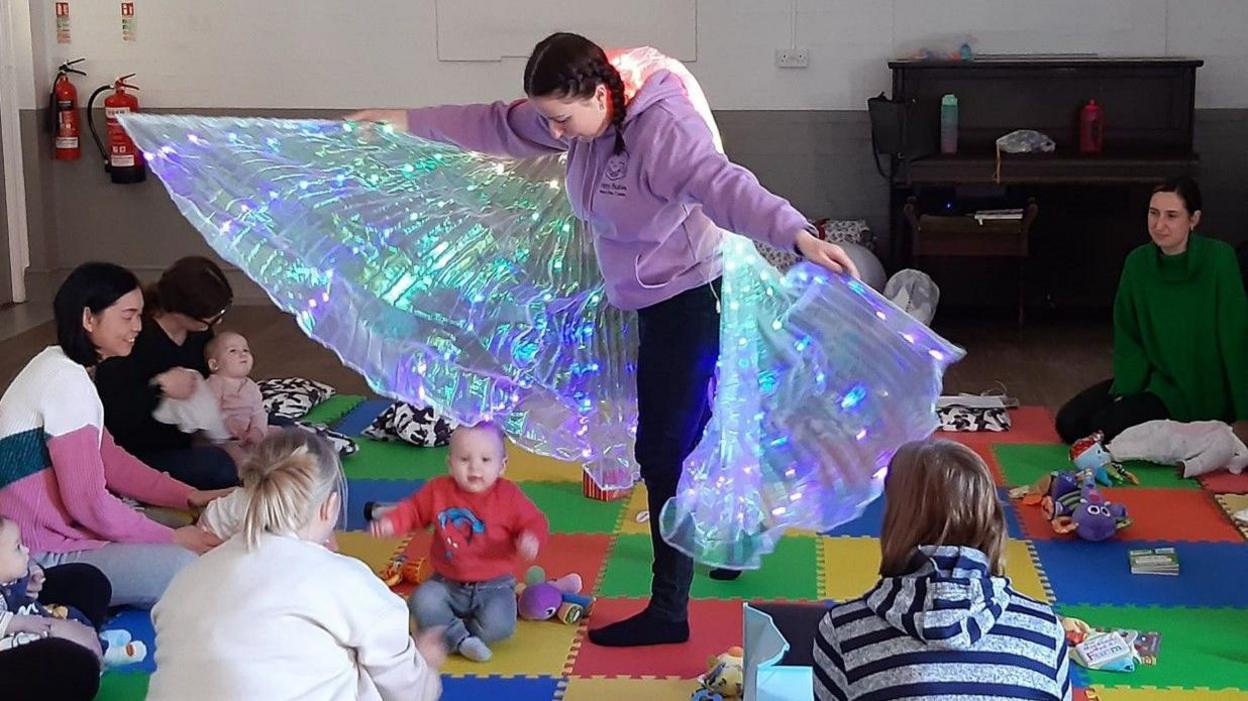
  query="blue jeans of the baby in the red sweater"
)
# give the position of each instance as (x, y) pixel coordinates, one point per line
(481, 609)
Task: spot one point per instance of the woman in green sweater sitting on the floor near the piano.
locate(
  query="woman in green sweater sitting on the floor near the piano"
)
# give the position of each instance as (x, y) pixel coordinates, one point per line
(1180, 330)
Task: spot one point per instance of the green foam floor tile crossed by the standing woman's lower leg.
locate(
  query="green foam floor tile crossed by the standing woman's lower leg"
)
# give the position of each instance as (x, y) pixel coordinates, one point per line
(787, 574)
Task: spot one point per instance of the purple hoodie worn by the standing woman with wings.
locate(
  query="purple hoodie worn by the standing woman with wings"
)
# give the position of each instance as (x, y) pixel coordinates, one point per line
(655, 209)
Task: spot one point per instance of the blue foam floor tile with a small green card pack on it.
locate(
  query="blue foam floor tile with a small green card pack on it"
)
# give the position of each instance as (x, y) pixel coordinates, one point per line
(1211, 574)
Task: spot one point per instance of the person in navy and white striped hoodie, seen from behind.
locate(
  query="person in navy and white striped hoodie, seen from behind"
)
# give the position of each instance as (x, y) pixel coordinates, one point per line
(943, 622)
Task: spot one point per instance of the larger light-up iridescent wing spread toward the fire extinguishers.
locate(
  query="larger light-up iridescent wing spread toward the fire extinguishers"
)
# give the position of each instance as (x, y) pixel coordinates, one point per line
(446, 279)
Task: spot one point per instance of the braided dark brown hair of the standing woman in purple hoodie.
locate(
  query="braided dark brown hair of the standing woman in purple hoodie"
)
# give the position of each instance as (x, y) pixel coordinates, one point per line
(568, 65)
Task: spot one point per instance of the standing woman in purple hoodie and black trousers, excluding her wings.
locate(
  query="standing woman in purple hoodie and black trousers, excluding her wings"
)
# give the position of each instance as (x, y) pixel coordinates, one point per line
(646, 175)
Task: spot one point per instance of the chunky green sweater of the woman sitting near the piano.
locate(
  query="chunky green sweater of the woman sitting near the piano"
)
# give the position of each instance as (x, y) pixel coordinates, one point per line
(1181, 331)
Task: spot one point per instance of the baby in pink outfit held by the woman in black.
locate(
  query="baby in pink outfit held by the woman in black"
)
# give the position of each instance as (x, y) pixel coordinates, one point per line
(241, 405)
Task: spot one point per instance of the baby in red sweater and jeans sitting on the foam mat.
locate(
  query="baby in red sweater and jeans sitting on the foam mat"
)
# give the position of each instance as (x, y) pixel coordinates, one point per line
(481, 525)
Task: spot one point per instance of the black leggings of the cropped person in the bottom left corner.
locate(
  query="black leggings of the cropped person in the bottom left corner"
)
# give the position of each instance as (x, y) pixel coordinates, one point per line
(56, 668)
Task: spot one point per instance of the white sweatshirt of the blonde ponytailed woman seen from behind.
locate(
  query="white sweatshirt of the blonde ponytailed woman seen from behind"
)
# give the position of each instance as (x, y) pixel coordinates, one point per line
(288, 621)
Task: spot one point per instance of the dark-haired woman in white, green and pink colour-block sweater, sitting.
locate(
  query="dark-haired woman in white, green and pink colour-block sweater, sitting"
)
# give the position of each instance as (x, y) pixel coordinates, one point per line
(59, 466)
